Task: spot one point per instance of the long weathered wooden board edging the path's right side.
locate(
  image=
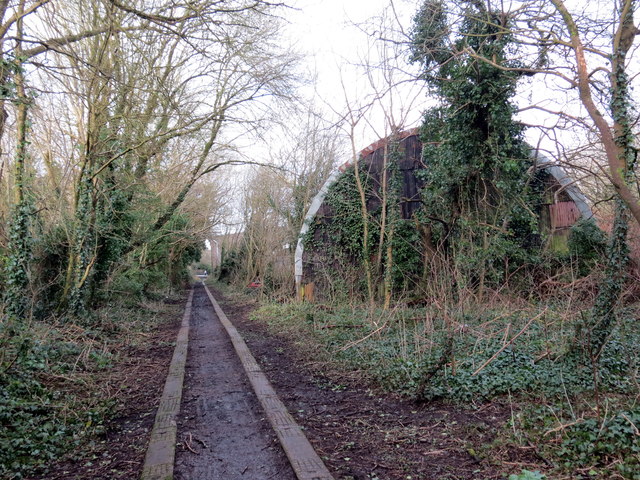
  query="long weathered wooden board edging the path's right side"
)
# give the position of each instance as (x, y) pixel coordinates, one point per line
(306, 463)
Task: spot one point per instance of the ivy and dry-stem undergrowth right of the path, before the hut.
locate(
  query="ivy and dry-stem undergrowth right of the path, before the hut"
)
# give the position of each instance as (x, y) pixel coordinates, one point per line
(580, 411)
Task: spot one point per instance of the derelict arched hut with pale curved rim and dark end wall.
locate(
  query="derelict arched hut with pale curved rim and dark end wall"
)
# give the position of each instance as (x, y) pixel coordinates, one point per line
(332, 253)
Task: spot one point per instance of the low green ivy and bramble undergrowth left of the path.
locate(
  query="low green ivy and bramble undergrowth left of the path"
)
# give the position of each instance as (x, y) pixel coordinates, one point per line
(56, 392)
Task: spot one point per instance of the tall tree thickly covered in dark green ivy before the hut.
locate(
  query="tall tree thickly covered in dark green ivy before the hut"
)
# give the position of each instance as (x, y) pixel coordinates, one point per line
(479, 198)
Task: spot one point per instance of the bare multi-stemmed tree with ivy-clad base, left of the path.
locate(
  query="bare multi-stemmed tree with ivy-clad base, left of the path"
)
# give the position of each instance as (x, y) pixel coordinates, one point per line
(153, 87)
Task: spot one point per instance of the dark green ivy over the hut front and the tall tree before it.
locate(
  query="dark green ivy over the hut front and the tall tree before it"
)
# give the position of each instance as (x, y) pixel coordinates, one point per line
(481, 203)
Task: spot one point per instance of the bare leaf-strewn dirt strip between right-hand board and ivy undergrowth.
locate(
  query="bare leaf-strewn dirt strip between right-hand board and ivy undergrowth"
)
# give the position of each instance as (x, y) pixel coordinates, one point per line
(364, 434)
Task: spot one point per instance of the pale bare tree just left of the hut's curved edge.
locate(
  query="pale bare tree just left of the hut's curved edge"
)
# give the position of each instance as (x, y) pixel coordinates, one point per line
(277, 199)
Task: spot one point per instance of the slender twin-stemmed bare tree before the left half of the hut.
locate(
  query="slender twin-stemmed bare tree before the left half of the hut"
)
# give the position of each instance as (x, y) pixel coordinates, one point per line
(393, 94)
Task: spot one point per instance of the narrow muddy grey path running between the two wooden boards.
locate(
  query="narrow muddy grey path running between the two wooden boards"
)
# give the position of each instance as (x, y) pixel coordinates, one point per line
(222, 430)
